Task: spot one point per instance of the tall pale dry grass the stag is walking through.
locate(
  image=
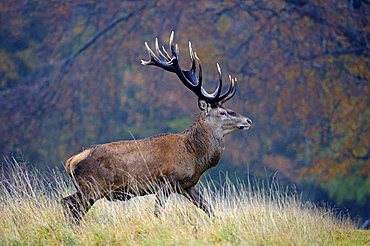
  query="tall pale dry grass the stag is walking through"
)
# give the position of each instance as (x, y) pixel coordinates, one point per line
(30, 214)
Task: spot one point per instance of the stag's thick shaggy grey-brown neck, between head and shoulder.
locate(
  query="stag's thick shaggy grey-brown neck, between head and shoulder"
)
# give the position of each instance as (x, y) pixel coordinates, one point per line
(205, 143)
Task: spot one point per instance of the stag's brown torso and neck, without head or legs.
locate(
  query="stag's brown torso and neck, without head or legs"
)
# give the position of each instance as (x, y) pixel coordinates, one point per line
(180, 158)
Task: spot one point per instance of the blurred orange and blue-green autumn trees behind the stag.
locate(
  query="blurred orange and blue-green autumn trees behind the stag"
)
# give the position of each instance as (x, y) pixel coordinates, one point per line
(302, 68)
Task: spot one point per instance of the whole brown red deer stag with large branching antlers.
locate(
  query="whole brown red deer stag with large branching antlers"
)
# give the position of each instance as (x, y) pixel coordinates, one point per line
(161, 164)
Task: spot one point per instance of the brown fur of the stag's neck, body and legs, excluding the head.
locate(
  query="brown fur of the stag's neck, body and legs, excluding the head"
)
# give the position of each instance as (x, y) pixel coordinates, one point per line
(137, 167)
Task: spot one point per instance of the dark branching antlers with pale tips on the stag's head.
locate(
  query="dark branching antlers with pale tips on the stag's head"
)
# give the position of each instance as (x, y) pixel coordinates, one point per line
(188, 77)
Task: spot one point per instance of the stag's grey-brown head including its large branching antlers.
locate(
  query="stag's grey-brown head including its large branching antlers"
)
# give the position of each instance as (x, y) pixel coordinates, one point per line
(222, 119)
